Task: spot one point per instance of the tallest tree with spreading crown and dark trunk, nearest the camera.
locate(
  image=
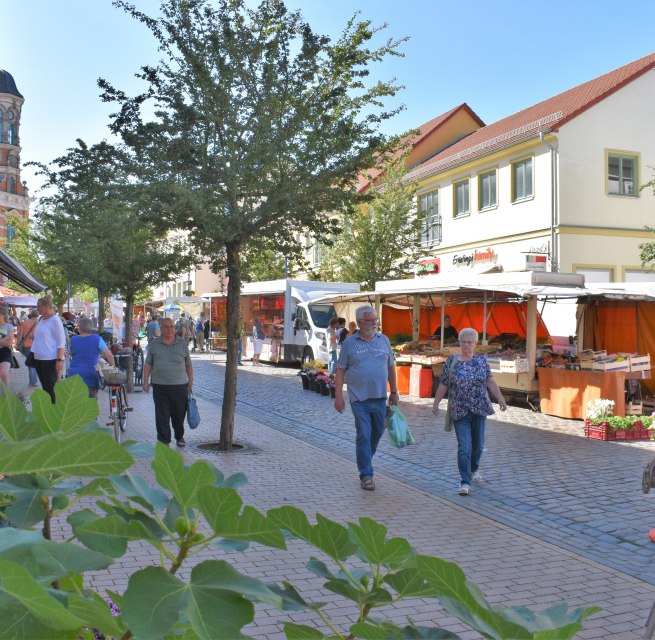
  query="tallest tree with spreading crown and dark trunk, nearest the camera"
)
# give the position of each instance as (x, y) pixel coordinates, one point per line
(261, 127)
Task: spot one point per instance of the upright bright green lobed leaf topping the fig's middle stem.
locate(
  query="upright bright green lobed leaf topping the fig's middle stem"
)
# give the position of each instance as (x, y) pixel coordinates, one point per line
(183, 483)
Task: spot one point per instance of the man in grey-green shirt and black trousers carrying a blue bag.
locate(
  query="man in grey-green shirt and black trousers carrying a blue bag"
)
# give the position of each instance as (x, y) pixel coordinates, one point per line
(169, 362)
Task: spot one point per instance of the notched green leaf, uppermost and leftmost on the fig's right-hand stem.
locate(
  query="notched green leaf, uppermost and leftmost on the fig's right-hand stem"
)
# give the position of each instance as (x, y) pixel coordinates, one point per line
(327, 535)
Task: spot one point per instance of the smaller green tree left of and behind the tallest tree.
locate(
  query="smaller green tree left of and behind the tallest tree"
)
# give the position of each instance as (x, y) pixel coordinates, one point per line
(95, 228)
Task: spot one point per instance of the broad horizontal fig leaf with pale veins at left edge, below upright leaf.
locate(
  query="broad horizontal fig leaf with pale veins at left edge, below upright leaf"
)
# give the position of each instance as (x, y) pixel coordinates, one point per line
(79, 454)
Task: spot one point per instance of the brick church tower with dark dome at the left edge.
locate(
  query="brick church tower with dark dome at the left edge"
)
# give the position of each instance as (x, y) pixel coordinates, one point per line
(14, 198)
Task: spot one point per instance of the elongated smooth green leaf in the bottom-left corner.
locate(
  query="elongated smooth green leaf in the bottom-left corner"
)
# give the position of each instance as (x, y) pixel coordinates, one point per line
(19, 584)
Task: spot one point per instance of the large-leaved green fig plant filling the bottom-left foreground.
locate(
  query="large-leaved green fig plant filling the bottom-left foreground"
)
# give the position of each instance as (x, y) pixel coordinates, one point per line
(42, 593)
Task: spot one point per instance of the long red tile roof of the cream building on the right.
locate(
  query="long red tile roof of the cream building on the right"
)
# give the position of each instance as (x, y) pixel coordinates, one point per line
(548, 115)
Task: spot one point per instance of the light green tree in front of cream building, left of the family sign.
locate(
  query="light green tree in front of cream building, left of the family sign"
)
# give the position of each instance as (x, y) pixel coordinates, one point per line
(381, 240)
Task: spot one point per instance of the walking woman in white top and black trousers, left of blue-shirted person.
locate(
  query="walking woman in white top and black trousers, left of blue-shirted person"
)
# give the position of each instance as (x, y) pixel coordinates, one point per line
(49, 346)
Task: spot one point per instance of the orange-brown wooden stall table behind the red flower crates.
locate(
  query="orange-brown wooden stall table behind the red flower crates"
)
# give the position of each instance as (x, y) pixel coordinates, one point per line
(565, 392)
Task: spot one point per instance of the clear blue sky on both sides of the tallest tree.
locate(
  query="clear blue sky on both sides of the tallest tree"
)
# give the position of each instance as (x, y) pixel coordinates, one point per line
(499, 56)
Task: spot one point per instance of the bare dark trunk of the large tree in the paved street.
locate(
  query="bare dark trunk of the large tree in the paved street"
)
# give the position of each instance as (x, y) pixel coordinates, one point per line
(233, 252)
